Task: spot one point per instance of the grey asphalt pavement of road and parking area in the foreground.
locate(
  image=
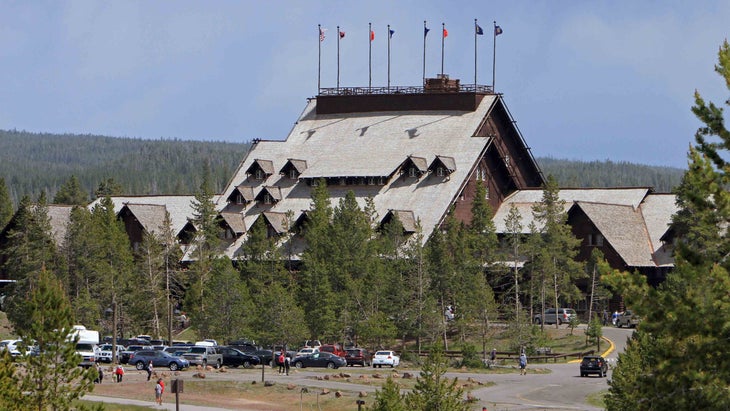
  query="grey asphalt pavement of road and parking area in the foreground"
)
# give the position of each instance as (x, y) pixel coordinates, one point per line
(561, 389)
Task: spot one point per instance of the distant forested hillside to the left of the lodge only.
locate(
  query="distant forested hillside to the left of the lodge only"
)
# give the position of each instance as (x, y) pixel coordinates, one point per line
(31, 163)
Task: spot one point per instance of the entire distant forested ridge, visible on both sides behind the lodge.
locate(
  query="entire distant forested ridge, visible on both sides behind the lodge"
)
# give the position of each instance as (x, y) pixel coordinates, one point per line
(33, 162)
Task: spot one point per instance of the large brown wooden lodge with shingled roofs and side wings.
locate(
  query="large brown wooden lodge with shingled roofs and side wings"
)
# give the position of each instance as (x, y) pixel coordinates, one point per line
(416, 151)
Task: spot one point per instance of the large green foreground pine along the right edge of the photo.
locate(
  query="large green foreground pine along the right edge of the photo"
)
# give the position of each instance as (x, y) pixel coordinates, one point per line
(676, 358)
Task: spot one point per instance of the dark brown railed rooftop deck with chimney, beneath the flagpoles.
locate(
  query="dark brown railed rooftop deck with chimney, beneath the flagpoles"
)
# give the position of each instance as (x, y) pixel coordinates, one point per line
(437, 94)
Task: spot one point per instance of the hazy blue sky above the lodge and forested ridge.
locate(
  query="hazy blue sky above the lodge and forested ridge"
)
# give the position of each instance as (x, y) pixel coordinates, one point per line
(586, 80)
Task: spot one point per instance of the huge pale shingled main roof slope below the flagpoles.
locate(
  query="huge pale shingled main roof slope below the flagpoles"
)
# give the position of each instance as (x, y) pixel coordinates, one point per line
(374, 144)
